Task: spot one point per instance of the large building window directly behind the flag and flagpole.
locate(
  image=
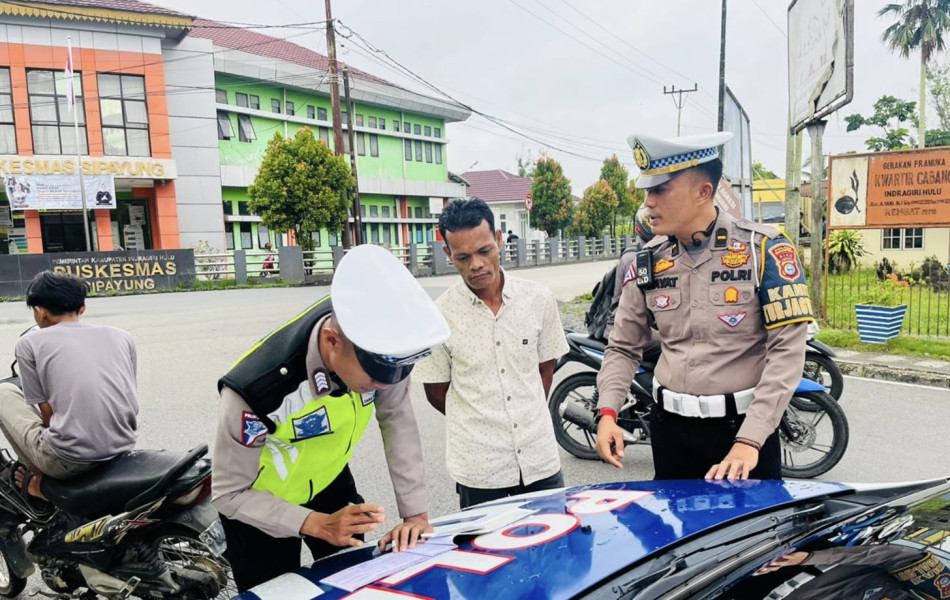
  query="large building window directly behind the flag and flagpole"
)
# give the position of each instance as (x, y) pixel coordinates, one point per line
(50, 115)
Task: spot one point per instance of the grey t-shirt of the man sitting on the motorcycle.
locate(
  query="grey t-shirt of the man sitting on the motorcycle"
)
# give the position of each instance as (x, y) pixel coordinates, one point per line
(87, 373)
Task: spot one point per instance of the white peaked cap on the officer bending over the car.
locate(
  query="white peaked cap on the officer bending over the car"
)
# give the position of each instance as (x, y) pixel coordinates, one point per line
(384, 311)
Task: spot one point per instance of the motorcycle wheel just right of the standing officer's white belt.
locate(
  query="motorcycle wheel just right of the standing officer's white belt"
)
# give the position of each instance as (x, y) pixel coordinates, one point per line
(813, 439)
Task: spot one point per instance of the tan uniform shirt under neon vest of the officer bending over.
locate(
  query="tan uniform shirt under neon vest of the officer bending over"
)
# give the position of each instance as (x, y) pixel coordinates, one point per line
(236, 466)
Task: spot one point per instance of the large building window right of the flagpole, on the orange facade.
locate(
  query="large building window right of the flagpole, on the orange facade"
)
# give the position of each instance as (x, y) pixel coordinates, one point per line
(124, 115)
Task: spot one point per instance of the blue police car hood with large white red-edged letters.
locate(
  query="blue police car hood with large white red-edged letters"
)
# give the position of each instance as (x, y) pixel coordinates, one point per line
(573, 539)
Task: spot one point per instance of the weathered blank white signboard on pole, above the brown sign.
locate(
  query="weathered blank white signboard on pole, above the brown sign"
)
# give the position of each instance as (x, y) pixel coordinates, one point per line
(820, 58)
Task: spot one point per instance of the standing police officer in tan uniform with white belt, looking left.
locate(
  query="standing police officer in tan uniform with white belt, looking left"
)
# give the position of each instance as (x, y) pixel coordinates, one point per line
(732, 309)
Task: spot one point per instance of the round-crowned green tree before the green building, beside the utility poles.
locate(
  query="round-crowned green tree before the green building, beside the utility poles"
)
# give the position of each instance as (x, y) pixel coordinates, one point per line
(301, 186)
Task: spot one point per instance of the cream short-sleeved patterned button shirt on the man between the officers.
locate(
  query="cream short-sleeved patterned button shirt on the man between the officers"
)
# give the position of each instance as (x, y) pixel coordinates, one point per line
(498, 426)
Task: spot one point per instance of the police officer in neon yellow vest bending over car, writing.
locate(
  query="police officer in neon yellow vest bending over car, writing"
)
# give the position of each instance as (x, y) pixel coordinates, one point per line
(296, 404)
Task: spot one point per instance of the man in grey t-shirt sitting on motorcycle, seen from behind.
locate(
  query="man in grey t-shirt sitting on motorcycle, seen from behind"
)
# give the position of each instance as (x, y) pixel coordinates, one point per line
(78, 404)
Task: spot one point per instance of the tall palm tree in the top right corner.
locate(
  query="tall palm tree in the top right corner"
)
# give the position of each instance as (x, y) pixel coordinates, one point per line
(920, 25)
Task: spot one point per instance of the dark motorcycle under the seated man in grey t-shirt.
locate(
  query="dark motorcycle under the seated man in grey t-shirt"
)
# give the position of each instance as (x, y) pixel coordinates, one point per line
(141, 525)
